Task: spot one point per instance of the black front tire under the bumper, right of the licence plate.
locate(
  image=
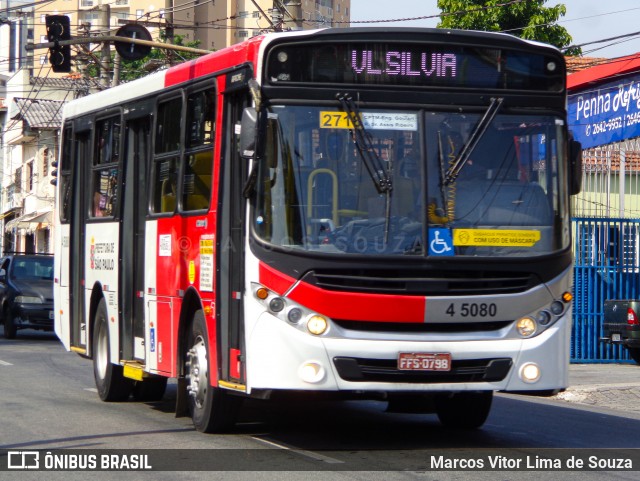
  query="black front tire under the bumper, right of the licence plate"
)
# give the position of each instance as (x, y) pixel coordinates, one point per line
(465, 410)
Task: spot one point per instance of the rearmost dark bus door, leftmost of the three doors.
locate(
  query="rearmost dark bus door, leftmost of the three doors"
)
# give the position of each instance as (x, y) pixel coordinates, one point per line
(77, 219)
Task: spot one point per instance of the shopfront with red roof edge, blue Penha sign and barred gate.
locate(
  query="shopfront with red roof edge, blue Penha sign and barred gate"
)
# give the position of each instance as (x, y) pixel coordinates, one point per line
(604, 115)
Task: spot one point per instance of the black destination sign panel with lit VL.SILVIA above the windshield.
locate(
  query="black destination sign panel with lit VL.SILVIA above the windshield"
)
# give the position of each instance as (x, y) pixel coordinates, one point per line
(414, 64)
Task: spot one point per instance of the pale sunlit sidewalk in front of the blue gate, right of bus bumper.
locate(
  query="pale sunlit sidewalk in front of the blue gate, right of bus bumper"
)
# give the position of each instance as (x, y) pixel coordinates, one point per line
(614, 386)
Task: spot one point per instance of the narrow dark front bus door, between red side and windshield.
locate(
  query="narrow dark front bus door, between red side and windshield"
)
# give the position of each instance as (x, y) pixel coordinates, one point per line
(232, 206)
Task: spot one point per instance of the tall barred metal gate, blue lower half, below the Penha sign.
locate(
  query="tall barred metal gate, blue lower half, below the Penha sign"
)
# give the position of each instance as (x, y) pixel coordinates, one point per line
(606, 229)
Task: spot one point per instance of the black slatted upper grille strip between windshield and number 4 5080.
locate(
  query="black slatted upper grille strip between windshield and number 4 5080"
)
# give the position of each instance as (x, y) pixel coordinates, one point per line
(437, 283)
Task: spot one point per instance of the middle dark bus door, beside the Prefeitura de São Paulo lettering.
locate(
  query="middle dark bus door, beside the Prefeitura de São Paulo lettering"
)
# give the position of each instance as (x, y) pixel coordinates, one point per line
(132, 236)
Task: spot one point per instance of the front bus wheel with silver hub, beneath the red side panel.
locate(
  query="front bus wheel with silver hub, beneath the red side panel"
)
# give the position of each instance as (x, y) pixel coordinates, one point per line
(212, 409)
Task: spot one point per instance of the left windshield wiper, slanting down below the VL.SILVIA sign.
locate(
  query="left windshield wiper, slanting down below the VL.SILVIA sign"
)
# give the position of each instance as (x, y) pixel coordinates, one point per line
(367, 153)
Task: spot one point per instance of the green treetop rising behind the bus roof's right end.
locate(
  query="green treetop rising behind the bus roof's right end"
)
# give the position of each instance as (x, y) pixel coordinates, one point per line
(528, 19)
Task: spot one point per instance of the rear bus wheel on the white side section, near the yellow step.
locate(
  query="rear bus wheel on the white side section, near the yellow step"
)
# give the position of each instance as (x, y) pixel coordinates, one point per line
(110, 381)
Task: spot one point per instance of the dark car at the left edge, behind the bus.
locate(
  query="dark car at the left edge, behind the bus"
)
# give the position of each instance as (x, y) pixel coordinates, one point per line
(26, 292)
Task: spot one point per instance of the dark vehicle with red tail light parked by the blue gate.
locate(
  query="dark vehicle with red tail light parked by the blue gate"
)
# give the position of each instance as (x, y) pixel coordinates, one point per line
(622, 325)
